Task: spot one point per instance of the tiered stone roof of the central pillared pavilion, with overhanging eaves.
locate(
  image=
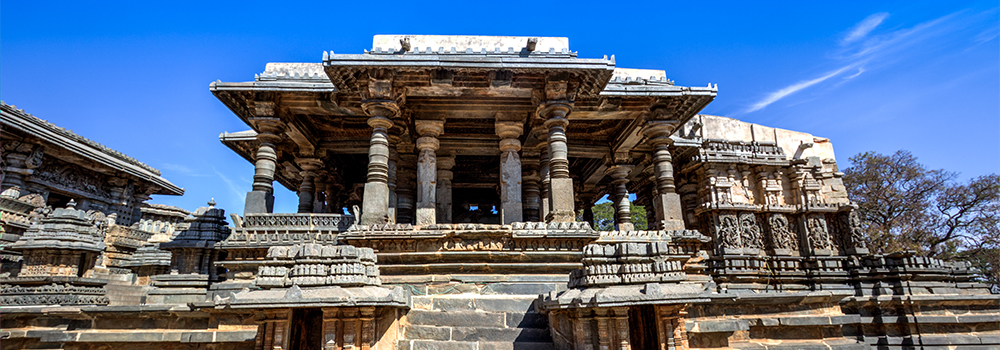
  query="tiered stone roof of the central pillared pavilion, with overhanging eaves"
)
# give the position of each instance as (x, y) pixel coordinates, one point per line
(470, 82)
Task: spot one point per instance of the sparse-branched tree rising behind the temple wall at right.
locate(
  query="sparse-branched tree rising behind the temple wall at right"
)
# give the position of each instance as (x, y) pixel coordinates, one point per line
(906, 207)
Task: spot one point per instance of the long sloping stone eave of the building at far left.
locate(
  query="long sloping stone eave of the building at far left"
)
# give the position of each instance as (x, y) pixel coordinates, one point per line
(85, 148)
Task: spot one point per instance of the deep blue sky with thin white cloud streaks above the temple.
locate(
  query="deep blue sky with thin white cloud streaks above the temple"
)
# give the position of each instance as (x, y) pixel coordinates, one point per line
(873, 76)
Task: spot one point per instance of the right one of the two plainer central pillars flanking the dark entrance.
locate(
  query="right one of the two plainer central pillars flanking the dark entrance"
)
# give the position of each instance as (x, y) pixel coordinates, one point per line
(510, 171)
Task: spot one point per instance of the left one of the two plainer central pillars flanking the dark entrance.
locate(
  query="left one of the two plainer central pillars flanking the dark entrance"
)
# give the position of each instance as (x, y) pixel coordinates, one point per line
(428, 144)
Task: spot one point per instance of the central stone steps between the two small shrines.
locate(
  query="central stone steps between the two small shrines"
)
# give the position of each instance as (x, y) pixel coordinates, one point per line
(474, 321)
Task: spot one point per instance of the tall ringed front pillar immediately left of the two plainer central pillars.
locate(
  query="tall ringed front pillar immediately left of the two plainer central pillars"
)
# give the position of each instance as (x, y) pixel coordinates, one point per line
(375, 206)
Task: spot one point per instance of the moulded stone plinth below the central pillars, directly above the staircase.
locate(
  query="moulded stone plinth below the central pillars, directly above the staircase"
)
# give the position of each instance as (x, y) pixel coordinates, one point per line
(528, 248)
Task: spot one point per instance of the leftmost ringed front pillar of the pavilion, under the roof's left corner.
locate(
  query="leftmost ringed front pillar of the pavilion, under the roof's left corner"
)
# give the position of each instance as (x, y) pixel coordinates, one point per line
(261, 198)
